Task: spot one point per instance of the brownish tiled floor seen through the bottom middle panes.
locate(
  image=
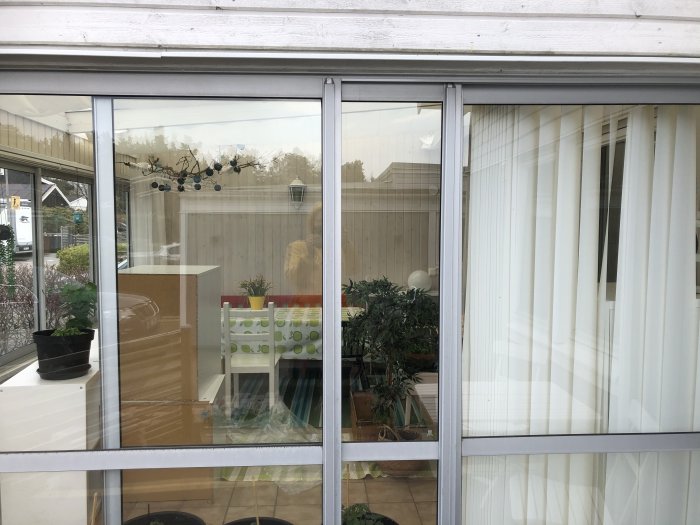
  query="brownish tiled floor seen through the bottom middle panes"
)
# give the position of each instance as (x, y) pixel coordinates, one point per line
(409, 501)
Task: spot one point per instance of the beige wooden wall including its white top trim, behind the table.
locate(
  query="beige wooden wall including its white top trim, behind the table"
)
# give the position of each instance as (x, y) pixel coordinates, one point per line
(384, 234)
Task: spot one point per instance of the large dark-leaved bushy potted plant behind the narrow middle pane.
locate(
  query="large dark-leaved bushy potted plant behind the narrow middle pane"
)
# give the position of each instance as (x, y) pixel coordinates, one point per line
(391, 325)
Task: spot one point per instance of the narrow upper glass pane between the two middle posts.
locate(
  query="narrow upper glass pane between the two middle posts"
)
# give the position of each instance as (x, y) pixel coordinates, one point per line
(390, 262)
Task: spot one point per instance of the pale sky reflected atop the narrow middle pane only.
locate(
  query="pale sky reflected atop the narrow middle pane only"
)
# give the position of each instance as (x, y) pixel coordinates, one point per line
(379, 133)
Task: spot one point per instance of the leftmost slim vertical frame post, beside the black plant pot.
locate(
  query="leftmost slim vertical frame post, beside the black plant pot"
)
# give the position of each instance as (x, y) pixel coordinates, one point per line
(107, 282)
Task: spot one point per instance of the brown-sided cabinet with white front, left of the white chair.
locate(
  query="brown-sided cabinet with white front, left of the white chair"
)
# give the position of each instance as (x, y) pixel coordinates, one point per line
(170, 375)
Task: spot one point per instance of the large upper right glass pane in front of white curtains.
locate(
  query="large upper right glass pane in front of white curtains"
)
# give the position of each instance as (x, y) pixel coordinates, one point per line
(581, 309)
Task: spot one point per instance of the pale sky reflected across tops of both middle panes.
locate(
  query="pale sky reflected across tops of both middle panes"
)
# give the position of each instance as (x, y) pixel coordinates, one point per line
(377, 133)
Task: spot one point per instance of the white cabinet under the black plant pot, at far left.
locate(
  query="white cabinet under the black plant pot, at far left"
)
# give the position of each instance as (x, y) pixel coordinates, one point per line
(41, 415)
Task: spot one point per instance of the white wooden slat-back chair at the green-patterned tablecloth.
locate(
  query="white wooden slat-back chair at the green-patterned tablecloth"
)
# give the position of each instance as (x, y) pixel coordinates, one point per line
(241, 362)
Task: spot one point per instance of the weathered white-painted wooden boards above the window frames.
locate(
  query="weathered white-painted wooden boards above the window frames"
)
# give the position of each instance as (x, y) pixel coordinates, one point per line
(573, 27)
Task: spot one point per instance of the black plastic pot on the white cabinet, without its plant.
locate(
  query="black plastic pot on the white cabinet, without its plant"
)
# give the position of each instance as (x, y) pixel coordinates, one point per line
(63, 357)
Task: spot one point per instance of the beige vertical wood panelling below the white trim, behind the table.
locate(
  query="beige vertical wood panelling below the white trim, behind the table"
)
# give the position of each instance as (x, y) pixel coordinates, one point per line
(375, 244)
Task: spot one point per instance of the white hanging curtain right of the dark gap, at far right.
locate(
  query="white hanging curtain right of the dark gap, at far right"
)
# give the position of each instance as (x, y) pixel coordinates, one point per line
(653, 373)
